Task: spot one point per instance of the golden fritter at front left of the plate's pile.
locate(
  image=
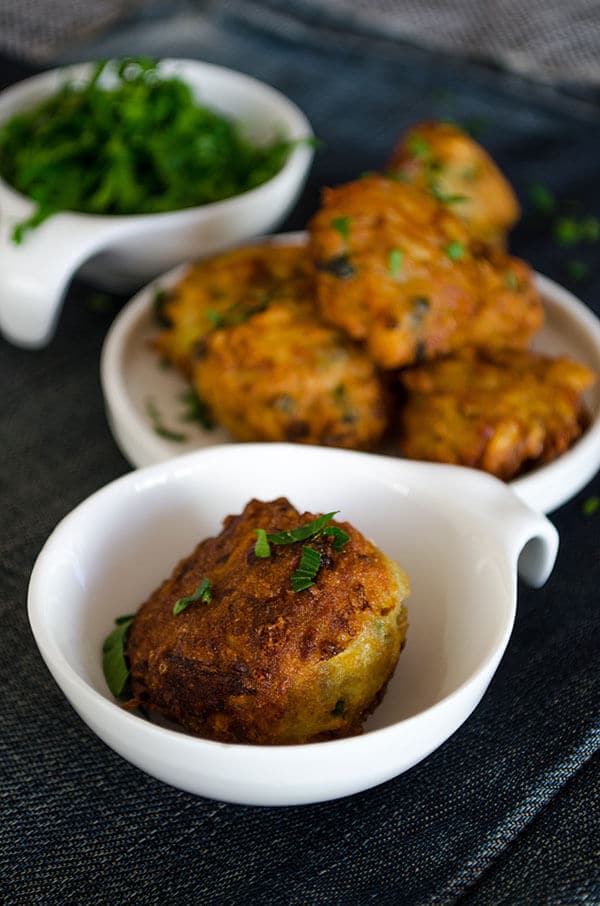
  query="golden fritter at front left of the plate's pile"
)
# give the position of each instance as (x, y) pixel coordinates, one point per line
(283, 375)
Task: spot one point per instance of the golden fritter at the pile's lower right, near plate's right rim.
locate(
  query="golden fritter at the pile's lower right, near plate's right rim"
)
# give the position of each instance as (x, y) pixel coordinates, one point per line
(501, 411)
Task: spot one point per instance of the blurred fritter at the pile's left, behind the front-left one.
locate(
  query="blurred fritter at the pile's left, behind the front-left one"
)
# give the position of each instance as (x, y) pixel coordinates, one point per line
(227, 289)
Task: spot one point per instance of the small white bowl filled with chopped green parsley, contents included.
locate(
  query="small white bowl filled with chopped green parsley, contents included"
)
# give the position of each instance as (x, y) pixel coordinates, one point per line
(130, 167)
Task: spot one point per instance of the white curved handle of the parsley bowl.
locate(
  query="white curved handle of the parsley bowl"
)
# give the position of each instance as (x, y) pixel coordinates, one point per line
(35, 274)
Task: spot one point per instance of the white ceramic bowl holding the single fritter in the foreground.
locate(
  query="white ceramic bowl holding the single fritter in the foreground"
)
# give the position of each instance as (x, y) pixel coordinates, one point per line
(459, 535)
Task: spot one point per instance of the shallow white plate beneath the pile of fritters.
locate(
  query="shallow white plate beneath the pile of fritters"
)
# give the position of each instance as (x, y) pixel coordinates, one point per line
(132, 378)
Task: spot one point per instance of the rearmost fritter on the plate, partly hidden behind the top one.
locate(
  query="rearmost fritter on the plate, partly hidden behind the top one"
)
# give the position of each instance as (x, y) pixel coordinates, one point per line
(444, 160)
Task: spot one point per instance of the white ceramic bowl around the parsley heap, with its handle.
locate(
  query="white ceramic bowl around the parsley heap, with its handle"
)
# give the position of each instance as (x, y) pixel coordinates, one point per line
(122, 252)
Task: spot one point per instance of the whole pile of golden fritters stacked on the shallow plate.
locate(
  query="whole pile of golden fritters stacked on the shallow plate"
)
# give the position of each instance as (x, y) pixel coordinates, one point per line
(405, 285)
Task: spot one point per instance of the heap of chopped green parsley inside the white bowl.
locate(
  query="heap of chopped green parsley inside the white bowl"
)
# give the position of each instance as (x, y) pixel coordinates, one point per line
(129, 141)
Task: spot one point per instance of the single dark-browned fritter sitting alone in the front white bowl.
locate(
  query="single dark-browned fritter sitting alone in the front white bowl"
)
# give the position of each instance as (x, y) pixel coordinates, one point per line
(259, 662)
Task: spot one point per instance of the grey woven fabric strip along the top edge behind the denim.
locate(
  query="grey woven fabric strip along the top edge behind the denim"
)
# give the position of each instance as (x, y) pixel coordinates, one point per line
(549, 39)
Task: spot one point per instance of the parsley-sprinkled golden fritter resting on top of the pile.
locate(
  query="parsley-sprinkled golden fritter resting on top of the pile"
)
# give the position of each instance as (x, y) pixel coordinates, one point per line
(397, 270)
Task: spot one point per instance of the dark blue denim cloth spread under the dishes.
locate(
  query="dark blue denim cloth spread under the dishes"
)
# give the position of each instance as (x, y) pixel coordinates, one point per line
(506, 810)
